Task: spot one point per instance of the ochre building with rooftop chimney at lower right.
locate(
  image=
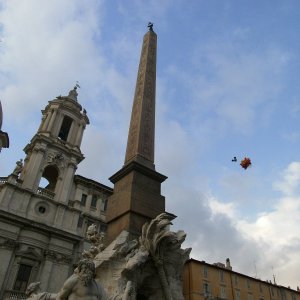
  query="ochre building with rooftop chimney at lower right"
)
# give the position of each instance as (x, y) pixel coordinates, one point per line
(203, 281)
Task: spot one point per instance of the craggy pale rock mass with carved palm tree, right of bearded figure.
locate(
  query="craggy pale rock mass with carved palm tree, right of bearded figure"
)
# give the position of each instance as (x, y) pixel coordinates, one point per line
(146, 268)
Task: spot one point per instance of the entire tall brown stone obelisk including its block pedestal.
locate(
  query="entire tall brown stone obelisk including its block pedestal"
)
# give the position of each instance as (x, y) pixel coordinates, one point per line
(137, 186)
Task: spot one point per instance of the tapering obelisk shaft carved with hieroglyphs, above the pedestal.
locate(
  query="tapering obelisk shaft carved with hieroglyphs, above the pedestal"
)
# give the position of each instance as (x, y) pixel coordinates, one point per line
(140, 144)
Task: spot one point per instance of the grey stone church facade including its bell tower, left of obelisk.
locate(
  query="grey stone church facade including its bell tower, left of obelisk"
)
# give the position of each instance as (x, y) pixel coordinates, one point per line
(42, 229)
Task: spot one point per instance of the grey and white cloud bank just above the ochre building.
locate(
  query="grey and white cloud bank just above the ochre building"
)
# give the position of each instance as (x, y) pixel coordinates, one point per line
(260, 248)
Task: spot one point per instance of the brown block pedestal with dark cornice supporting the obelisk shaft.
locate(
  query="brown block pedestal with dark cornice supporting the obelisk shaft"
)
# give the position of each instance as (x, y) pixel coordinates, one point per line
(136, 199)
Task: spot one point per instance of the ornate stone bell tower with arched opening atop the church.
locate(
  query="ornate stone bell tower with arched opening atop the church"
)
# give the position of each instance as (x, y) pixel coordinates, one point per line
(54, 152)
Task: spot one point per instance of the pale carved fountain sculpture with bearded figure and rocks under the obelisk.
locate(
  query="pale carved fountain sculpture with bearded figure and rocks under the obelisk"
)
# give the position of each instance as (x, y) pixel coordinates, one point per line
(149, 267)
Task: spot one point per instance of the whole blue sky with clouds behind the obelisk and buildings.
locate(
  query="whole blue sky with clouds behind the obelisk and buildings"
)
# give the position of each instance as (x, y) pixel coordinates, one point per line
(227, 85)
